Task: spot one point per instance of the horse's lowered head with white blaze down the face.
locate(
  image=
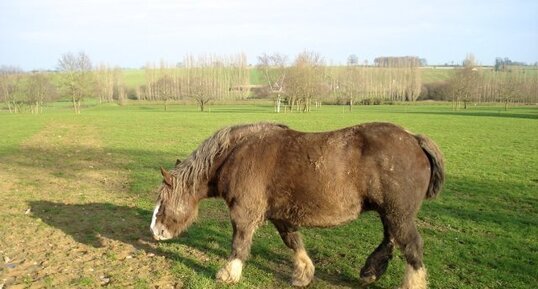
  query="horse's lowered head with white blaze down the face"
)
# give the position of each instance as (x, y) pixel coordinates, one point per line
(175, 210)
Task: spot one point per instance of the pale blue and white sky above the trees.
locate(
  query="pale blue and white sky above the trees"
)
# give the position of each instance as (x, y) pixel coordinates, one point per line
(131, 33)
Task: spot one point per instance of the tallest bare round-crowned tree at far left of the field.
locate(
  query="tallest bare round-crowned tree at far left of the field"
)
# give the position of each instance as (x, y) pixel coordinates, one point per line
(76, 77)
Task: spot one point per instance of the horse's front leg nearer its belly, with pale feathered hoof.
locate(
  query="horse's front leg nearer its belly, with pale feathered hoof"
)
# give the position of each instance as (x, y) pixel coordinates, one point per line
(303, 272)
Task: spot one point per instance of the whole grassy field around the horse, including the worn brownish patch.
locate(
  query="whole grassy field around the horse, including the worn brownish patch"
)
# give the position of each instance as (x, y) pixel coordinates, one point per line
(76, 197)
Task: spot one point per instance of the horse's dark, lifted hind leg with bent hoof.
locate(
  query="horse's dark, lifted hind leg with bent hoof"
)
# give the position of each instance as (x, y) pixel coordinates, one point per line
(377, 263)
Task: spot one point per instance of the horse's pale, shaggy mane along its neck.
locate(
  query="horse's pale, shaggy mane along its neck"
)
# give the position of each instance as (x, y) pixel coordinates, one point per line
(197, 166)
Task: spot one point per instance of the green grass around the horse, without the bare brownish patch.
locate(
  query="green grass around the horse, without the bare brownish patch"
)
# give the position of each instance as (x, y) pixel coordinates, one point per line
(482, 232)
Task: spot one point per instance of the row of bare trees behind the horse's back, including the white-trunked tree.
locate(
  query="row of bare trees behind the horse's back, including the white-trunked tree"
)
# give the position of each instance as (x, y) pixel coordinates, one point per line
(310, 80)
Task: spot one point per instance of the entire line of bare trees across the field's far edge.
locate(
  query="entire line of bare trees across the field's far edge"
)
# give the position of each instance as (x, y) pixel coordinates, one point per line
(295, 85)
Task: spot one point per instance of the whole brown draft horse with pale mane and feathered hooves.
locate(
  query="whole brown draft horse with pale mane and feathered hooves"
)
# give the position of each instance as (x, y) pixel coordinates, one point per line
(294, 179)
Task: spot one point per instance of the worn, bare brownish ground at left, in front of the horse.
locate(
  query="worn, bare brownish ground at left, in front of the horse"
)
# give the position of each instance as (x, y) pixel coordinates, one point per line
(66, 220)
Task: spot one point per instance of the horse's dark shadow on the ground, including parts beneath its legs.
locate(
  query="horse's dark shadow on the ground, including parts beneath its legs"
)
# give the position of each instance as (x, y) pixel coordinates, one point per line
(90, 223)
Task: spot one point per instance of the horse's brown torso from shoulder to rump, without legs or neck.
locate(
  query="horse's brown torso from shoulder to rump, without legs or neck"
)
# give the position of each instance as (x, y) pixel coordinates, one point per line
(322, 179)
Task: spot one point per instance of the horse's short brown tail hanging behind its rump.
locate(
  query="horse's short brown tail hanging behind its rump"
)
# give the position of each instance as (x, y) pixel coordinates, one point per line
(437, 165)
